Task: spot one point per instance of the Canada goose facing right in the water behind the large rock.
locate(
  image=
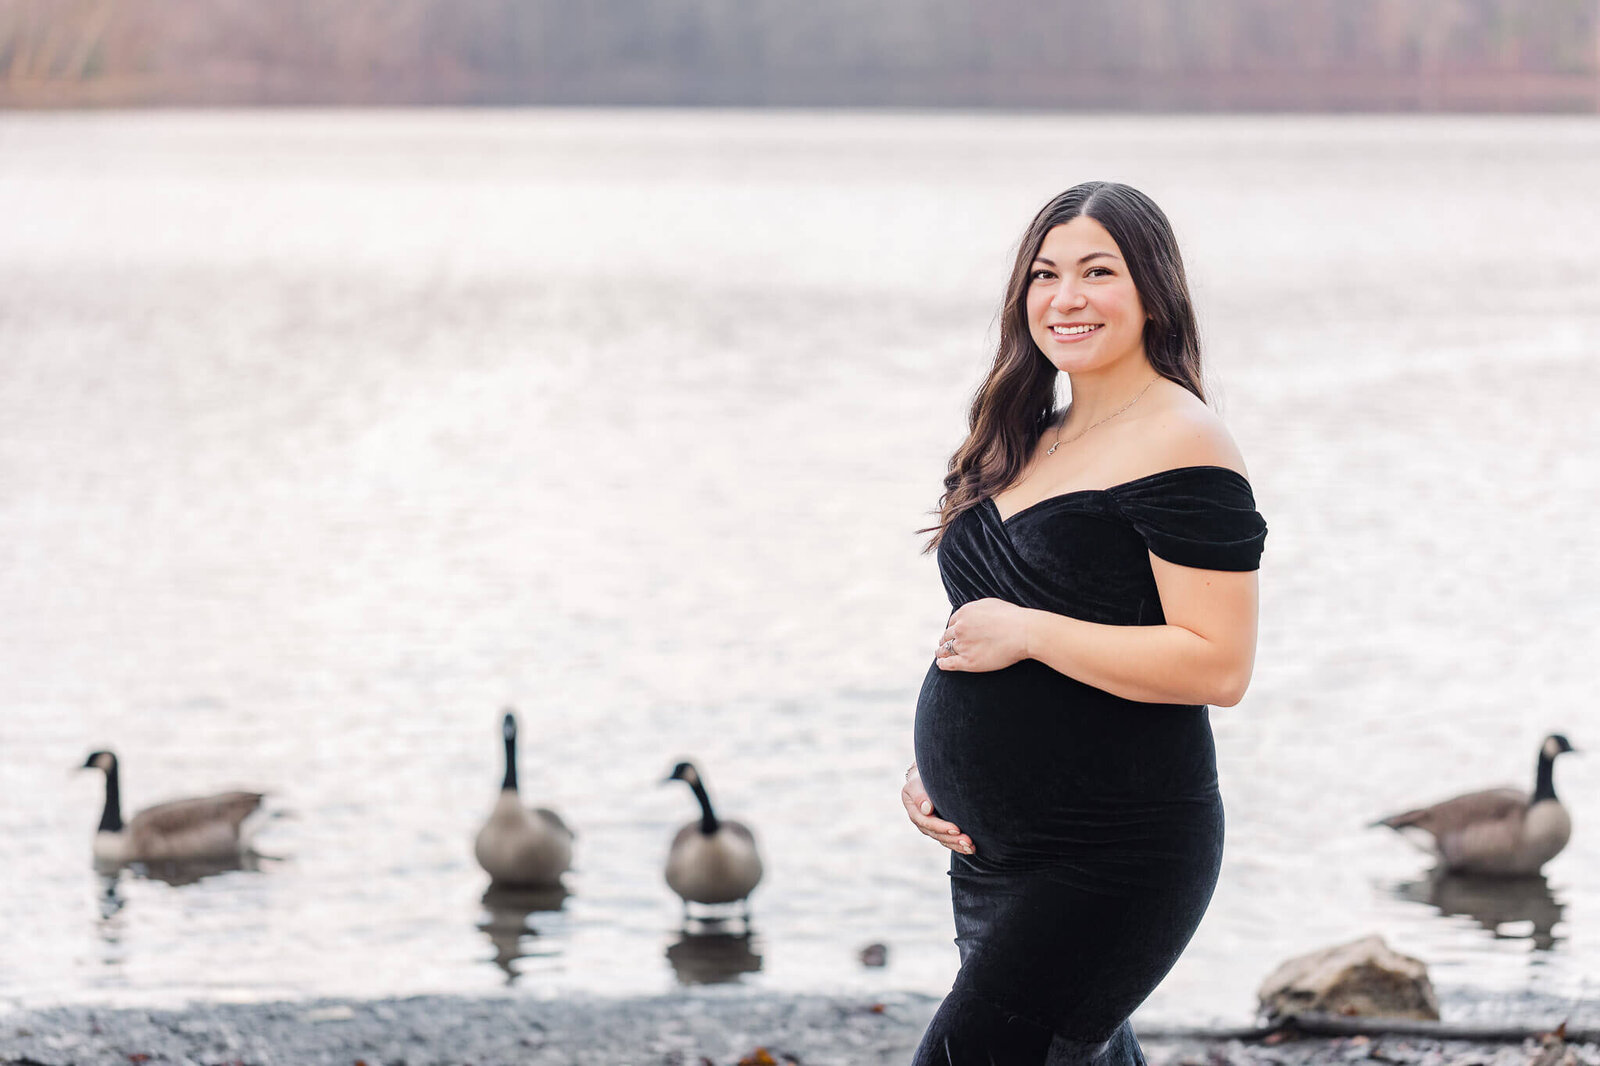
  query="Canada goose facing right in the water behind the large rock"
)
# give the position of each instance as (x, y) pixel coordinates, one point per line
(1498, 832)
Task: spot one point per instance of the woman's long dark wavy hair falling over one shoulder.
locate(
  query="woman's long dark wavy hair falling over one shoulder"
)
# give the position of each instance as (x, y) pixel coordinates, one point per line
(1018, 399)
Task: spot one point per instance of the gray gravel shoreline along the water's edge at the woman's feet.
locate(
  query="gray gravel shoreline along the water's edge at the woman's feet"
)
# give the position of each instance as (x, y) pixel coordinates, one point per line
(678, 1030)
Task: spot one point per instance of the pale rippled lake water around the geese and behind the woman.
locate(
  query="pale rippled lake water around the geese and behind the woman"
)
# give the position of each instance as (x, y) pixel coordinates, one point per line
(326, 436)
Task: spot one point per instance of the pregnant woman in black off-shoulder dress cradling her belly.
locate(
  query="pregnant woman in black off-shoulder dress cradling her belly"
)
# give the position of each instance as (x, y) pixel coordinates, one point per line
(1100, 563)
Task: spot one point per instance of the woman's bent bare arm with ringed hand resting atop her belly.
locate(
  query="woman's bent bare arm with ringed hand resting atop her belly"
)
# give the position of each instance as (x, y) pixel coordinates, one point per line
(1204, 654)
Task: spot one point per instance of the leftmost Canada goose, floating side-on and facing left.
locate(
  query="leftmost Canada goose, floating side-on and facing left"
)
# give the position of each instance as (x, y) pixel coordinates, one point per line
(190, 830)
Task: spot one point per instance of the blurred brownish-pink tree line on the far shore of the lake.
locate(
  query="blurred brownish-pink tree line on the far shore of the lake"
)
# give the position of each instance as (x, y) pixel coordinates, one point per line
(1191, 55)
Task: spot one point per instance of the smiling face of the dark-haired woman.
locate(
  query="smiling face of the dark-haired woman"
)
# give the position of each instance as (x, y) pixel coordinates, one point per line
(1082, 307)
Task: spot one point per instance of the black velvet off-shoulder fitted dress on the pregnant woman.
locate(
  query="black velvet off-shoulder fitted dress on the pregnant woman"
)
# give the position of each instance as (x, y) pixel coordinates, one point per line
(1095, 820)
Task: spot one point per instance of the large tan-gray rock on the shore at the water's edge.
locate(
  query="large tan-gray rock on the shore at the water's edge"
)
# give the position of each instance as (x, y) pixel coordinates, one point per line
(1364, 979)
